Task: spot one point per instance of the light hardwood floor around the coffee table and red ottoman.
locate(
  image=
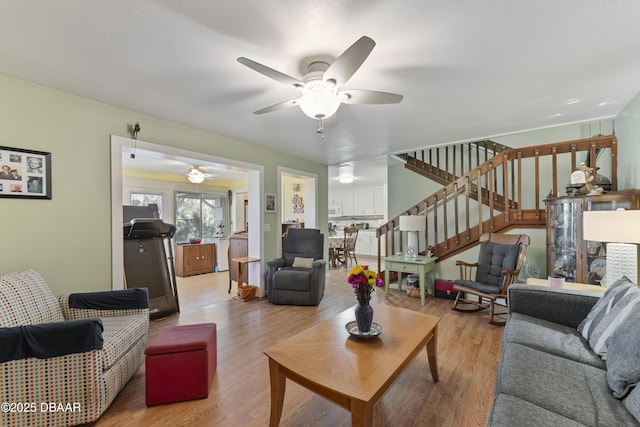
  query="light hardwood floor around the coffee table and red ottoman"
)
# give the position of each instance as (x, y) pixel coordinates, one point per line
(468, 353)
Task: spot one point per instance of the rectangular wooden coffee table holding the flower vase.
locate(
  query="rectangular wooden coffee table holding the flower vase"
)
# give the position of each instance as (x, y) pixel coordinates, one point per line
(353, 373)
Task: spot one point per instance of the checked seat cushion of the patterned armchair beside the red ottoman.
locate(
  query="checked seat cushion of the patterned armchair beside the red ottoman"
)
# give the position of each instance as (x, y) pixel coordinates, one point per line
(120, 334)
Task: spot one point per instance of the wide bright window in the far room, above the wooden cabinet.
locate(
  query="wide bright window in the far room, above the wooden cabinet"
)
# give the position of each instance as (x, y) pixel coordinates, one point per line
(200, 216)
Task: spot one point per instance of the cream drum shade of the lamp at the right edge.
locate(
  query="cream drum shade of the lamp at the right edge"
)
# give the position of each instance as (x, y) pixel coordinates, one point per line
(621, 226)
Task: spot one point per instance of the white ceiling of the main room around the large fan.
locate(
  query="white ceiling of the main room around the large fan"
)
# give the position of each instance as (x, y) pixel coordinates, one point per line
(468, 69)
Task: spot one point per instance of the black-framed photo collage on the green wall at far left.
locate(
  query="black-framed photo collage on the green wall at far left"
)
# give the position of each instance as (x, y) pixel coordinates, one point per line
(25, 174)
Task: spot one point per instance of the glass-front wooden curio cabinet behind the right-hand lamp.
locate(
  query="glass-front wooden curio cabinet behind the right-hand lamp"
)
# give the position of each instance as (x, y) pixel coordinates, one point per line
(568, 254)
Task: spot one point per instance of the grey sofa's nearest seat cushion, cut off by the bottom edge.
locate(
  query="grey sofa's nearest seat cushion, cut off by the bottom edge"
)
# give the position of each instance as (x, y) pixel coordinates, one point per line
(509, 411)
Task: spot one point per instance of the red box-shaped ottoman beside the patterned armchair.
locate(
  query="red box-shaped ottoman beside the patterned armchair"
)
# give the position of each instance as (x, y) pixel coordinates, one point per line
(180, 363)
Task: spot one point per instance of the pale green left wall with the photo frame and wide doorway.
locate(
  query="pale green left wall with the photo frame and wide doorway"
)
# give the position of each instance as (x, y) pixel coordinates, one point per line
(68, 239)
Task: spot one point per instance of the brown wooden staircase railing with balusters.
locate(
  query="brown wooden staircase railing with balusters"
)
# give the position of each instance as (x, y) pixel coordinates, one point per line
(497, 178)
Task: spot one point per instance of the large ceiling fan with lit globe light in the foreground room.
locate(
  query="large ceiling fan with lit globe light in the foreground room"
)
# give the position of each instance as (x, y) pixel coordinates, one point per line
(321, 86)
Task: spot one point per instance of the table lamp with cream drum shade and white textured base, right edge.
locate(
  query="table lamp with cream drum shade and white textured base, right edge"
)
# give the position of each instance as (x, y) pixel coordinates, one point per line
(621, 228)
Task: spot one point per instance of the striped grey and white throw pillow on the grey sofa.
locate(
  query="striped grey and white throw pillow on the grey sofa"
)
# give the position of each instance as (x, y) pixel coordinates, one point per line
(607, 314)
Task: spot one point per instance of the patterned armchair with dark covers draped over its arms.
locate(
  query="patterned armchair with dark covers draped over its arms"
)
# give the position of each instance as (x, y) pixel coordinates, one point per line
(75, 352)
